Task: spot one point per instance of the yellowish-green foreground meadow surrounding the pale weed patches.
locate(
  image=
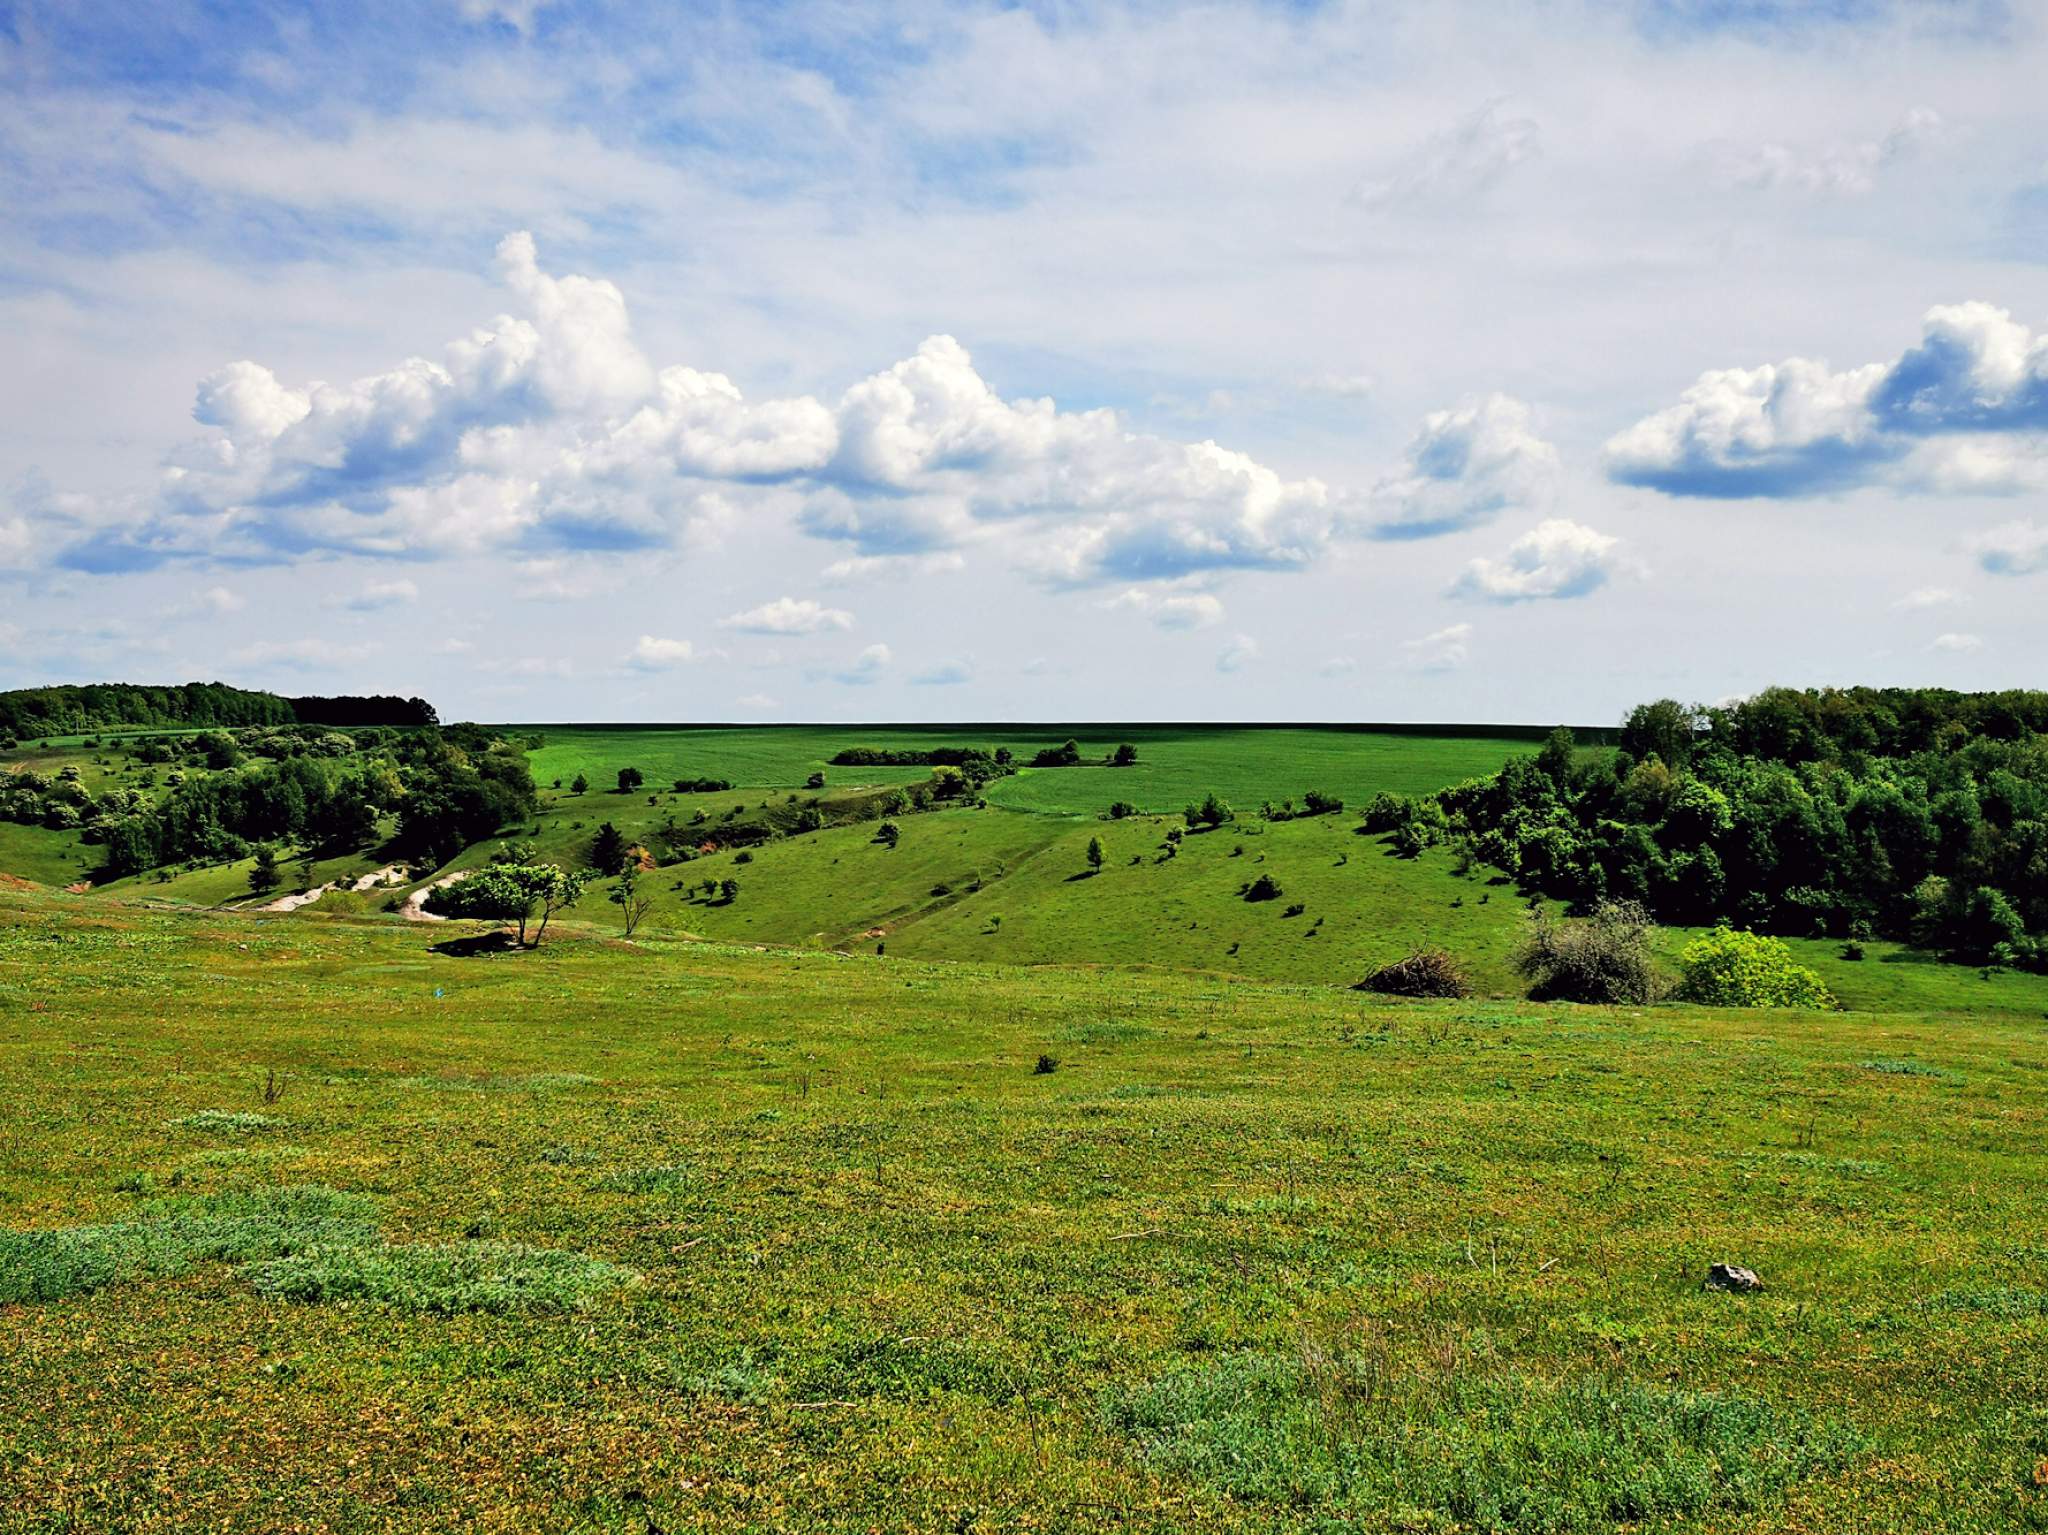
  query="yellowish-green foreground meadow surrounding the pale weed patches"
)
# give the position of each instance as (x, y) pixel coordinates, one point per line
(896, 1280)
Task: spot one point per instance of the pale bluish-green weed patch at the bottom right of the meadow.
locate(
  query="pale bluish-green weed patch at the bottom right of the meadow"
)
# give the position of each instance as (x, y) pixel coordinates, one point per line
(1469, 1450)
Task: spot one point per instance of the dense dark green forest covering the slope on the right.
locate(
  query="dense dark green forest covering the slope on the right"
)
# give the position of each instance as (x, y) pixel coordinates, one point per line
(1869, 812)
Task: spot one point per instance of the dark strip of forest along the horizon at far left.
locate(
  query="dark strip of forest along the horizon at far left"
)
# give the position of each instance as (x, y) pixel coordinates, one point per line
(194, 705)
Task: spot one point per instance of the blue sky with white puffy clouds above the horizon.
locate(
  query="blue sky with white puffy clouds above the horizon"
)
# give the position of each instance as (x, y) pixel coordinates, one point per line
(820, 361)
